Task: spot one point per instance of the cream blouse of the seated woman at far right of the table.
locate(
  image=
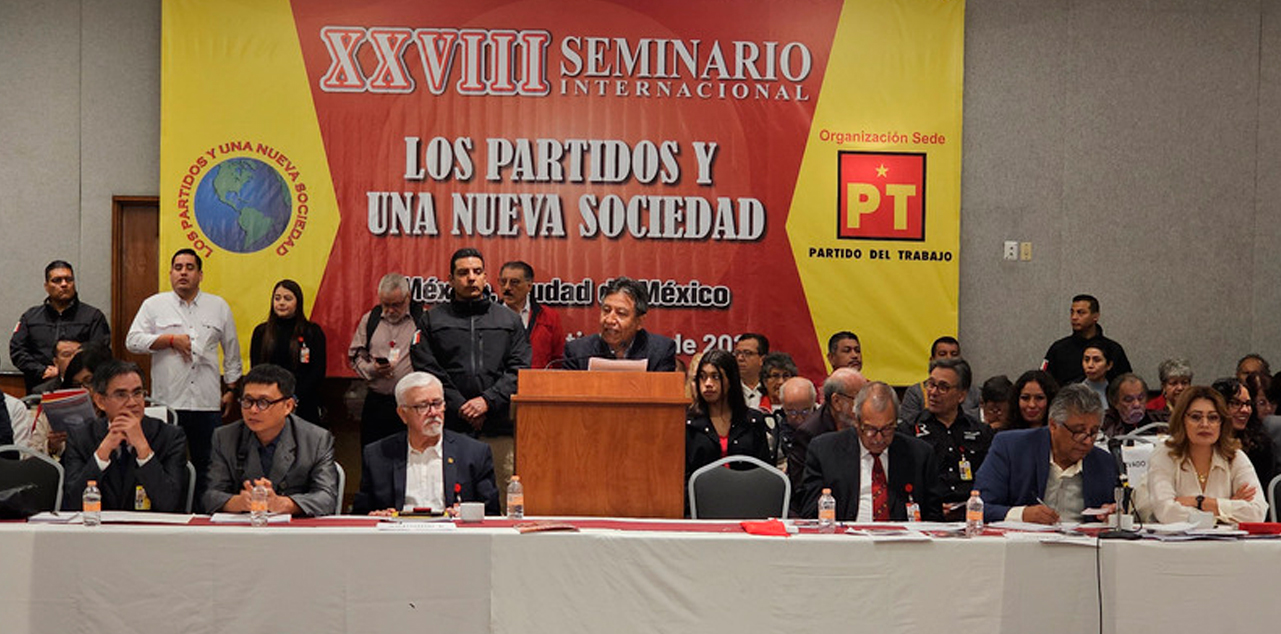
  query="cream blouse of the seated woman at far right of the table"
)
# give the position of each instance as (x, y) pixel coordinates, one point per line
(1169, 478)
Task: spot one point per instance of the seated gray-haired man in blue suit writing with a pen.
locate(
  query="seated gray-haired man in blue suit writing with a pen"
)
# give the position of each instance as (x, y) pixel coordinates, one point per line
(1050, 473)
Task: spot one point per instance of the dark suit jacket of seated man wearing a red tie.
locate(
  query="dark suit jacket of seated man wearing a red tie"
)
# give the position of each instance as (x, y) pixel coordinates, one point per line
(833, 463)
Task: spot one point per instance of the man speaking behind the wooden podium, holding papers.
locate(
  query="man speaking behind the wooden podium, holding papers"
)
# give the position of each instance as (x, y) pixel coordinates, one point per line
(623, 308)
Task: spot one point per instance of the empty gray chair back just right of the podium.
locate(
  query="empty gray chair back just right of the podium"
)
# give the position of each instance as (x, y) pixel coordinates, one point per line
(717, 492)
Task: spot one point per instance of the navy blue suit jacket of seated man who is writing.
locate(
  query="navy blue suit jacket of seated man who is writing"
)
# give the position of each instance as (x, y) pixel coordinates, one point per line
(1018, 467)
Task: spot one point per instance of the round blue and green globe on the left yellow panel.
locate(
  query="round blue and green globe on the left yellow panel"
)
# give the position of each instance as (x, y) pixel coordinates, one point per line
(243, 206)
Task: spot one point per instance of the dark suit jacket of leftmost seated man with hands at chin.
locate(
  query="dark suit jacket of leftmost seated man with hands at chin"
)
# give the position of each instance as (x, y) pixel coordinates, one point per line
(165, 477)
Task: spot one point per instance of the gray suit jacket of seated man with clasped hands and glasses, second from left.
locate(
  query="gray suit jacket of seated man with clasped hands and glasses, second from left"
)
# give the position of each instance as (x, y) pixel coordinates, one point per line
(303, 468)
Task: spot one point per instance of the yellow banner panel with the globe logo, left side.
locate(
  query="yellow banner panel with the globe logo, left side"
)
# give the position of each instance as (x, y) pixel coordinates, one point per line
(244, 175)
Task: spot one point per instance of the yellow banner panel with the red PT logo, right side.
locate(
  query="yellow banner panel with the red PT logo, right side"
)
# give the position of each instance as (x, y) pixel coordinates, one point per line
(876, 217)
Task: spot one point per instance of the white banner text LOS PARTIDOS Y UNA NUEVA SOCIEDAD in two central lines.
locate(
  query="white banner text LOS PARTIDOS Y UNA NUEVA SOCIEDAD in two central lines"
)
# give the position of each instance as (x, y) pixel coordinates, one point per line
(564, 162)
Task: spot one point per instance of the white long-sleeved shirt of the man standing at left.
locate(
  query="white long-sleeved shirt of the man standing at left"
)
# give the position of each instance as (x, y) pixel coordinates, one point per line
(208, 321)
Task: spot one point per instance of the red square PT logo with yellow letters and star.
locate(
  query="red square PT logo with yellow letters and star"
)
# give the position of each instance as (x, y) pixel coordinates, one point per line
(882, 197)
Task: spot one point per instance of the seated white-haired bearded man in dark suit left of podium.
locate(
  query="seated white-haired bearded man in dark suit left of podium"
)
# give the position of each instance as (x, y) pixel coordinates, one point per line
(426, 466)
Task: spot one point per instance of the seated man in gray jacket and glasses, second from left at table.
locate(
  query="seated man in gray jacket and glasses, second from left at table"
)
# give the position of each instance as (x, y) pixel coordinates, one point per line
(291, 458)
